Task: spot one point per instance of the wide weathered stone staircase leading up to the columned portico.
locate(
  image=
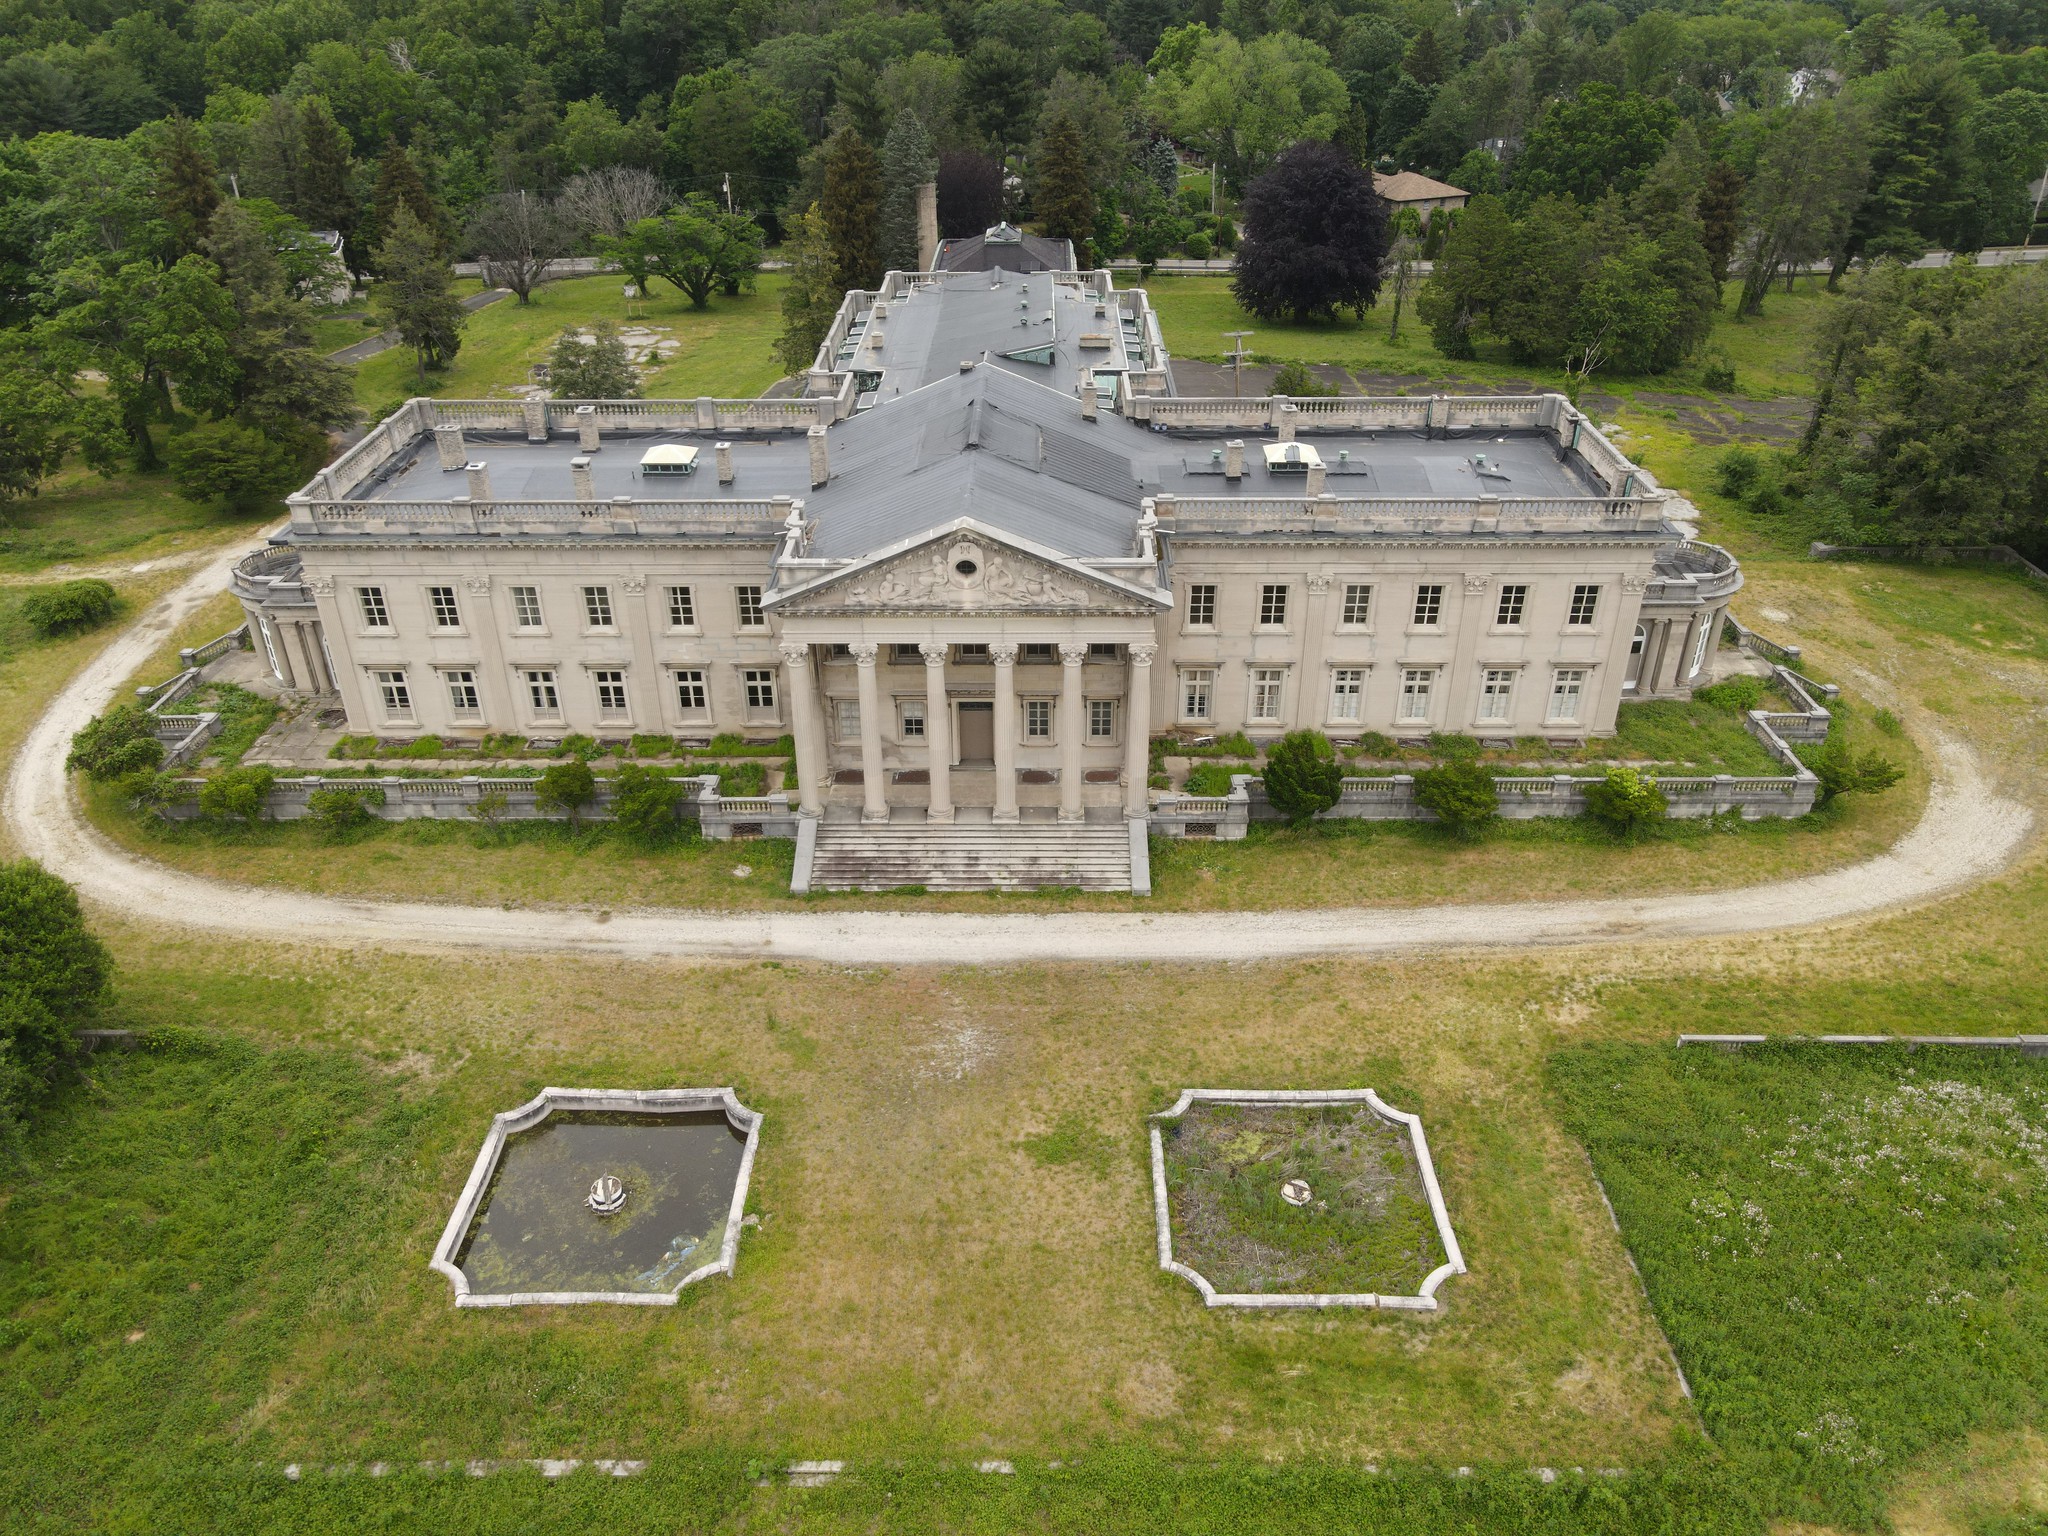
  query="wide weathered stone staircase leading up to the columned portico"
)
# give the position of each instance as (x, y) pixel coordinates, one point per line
(972, 857)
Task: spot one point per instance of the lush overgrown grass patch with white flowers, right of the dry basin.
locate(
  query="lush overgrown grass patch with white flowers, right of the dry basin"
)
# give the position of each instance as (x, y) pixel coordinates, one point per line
(1846, 1246)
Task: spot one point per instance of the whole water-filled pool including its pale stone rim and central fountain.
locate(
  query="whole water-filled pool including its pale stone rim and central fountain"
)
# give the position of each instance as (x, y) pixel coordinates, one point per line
(527, 1230)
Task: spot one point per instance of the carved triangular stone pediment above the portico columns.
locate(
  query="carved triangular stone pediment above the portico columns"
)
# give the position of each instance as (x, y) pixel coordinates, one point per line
(968, 568)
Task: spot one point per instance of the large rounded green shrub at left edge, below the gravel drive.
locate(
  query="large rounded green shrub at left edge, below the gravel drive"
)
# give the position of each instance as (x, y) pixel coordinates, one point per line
(54, 976)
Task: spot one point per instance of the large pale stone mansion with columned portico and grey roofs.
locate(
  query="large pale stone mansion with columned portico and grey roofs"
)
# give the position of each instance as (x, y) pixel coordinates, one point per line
(982, 558)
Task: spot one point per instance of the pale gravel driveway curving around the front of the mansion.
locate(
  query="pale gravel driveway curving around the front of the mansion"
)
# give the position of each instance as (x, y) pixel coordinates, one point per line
(1967, 835)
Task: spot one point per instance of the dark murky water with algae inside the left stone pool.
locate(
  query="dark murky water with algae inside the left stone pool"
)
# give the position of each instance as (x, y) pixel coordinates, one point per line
(536, 1232)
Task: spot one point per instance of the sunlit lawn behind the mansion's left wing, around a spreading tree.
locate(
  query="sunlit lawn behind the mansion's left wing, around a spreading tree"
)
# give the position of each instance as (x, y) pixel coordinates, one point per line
(726, 349)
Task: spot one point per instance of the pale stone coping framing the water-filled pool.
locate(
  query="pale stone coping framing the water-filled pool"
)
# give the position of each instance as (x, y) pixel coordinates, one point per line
(644, 1101)
